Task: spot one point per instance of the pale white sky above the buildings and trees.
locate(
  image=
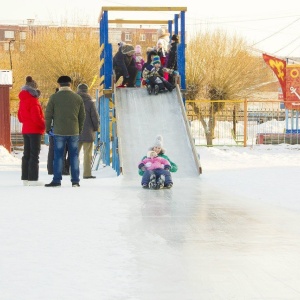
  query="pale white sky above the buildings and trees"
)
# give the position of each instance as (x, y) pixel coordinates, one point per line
(267, 26)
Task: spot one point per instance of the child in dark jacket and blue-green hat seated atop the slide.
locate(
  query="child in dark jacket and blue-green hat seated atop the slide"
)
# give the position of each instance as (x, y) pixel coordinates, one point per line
(154, 75)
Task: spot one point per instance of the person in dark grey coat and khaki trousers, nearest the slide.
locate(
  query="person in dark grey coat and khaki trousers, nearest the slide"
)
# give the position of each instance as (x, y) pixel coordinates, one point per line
(91, 125)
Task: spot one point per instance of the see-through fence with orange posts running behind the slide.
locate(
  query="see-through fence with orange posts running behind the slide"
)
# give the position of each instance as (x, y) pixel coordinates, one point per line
(236, 123)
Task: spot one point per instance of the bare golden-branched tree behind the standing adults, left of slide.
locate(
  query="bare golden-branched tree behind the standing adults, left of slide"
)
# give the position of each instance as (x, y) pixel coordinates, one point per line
(54, 51)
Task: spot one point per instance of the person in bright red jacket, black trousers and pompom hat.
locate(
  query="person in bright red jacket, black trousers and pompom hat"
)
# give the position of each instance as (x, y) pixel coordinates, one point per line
(31, 115)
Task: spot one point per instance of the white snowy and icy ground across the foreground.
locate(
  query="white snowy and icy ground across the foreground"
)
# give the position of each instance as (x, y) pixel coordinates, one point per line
(232, 233)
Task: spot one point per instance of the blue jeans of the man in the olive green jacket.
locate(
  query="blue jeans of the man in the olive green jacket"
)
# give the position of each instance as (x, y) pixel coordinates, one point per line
(60, 141)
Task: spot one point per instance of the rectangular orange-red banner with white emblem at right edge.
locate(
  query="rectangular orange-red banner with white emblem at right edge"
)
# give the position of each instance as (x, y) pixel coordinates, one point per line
(292, 99)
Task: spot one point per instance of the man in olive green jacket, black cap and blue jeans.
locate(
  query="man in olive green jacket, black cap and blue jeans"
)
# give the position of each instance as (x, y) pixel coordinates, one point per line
(65, 111)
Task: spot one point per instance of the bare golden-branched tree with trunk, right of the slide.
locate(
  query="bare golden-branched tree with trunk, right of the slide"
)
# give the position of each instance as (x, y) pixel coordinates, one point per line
(220, 67)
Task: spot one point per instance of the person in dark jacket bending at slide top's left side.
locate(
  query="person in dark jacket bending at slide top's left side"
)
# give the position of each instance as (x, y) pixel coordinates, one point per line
(124, 65)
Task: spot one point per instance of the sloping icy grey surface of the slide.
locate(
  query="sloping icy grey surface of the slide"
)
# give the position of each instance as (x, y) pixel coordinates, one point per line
(141, 117)
